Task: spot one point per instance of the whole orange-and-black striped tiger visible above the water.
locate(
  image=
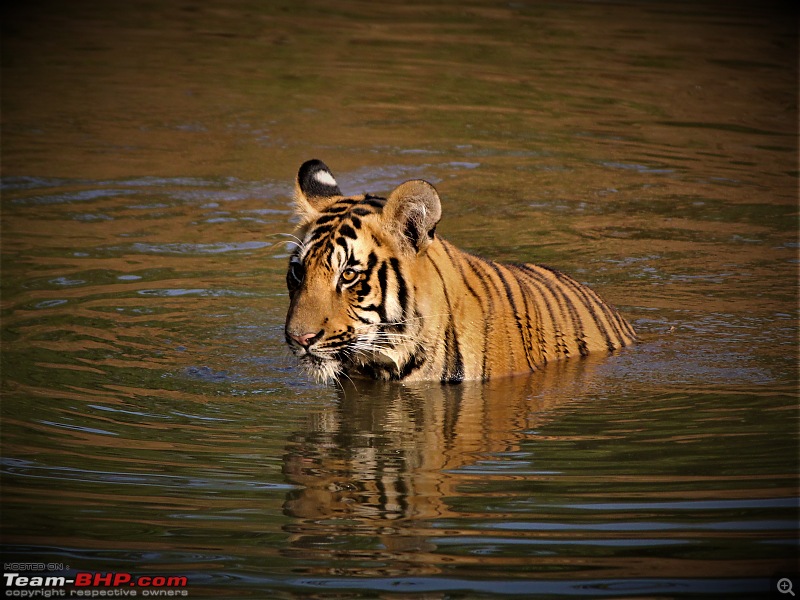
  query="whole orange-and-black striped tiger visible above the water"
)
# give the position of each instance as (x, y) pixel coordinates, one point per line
(374, 292)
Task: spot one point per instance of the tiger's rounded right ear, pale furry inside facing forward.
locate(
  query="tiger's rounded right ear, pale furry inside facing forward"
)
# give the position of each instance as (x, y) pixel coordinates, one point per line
(412, 211)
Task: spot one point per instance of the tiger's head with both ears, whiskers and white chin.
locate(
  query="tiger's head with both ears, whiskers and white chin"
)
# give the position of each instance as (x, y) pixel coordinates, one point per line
(351, 274)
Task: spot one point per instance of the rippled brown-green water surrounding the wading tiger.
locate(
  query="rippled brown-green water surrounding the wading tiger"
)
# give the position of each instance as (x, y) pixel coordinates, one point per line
(152, 420)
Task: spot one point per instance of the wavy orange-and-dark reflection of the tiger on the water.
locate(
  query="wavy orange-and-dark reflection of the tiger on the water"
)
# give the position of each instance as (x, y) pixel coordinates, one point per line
(386, 462)
